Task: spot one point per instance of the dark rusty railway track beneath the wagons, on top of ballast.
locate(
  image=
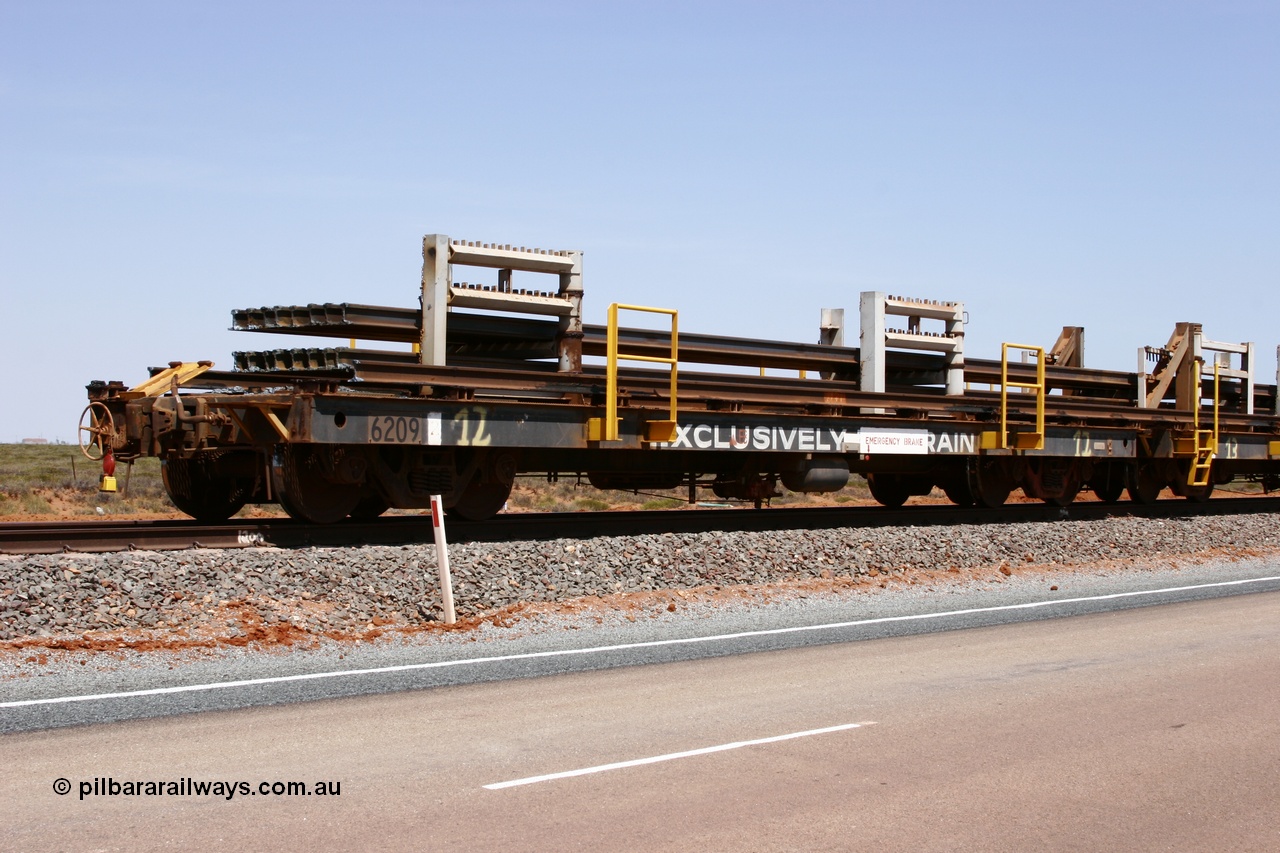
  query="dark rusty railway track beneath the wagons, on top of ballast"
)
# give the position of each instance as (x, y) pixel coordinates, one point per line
(97, 537)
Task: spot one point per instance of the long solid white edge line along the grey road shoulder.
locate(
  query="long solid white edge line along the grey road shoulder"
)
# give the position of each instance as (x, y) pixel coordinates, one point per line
(624, 647)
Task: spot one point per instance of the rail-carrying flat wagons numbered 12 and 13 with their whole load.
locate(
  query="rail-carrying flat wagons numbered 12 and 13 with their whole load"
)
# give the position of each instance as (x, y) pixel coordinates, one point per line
(496, 386)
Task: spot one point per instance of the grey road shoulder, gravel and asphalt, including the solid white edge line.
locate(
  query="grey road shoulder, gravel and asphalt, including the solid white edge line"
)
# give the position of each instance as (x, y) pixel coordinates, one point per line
(79, 690)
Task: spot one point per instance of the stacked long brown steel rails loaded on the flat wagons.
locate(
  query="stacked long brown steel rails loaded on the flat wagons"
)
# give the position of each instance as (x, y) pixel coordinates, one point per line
(492, 354)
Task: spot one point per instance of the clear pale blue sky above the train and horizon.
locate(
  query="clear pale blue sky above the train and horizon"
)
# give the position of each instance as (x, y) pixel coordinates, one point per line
(1103, 165)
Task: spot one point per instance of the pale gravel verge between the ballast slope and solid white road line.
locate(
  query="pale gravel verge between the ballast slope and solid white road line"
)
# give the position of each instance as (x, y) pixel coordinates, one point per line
(879, 604)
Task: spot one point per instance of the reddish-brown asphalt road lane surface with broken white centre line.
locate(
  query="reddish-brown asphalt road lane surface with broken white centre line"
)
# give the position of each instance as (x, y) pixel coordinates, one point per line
(1150, 728)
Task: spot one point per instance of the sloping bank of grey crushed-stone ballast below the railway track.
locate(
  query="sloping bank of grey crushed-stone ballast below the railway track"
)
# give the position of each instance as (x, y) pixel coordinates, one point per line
(253, 594)
